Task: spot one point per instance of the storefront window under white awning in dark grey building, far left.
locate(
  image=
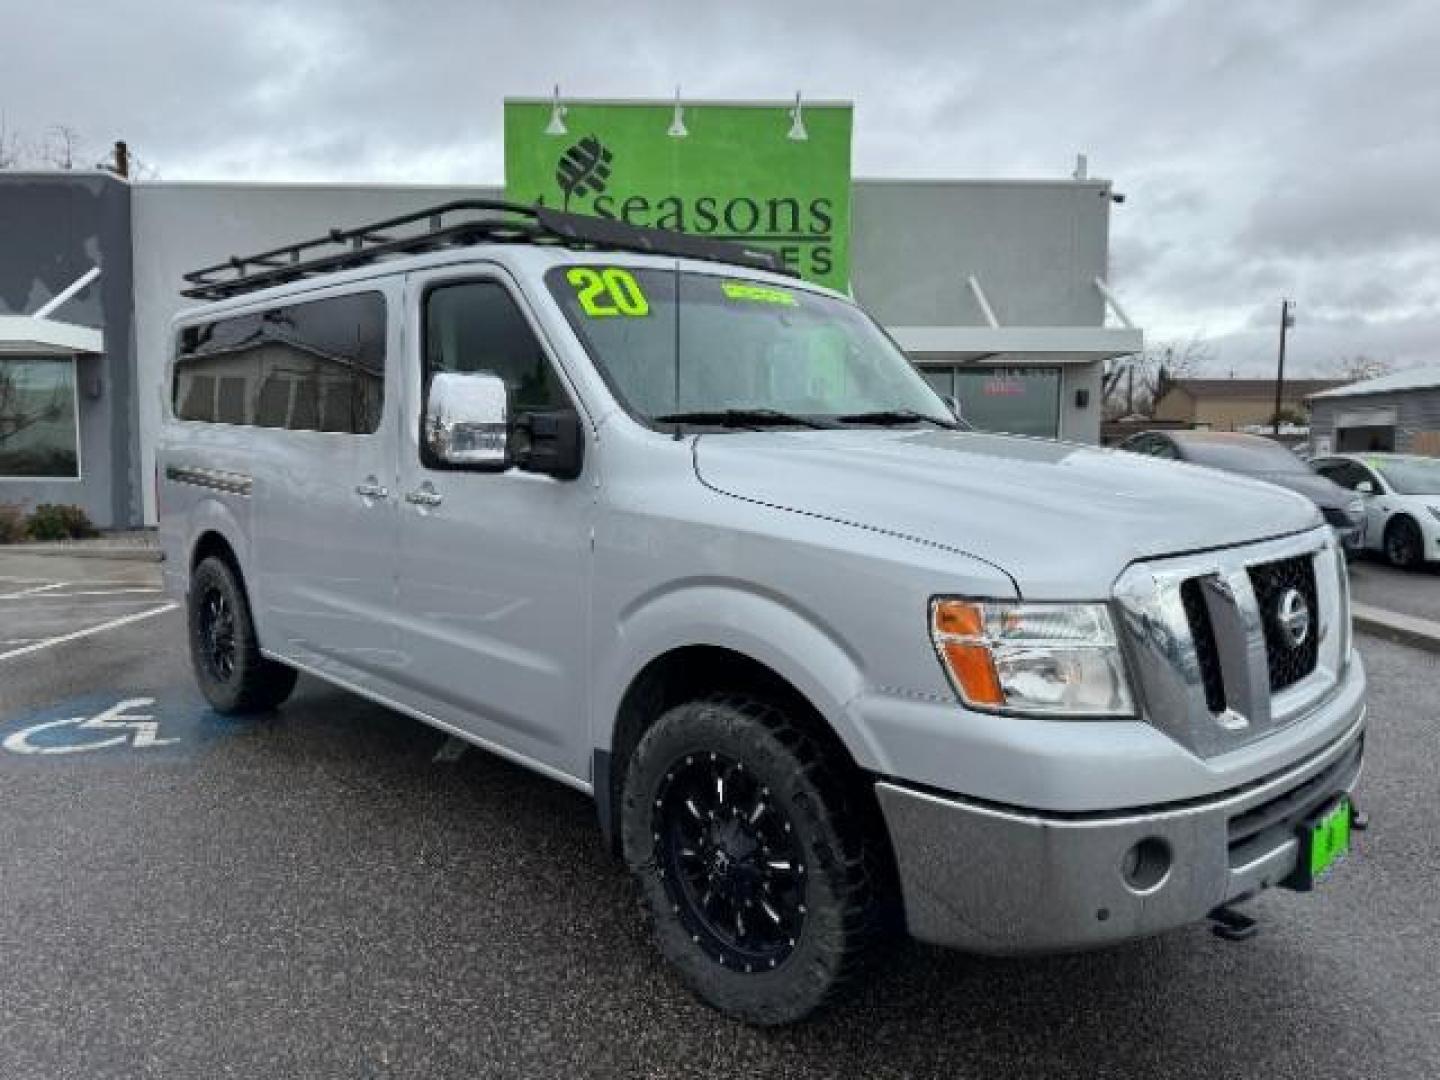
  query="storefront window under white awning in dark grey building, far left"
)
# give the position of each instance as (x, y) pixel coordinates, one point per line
(38, 431)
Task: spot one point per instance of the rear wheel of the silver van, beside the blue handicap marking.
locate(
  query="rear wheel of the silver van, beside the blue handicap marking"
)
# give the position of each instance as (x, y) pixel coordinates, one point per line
(225, 653)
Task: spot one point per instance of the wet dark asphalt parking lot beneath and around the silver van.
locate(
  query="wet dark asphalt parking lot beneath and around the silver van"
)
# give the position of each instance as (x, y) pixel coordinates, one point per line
(332, 892)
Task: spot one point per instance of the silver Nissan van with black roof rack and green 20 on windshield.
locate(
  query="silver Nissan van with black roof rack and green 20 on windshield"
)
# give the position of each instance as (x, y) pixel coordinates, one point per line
(660, 522)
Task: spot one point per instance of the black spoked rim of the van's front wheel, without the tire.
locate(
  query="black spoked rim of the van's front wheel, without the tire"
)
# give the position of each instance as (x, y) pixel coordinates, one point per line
(731, 862)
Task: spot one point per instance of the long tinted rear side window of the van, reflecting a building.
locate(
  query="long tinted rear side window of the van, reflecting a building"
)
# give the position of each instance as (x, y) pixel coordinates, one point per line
(313, 366)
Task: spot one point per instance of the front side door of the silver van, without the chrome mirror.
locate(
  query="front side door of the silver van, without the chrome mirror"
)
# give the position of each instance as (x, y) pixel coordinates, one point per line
(495, 570)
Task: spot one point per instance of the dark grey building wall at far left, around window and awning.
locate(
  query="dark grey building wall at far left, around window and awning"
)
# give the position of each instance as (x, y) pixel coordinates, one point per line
(54, 228)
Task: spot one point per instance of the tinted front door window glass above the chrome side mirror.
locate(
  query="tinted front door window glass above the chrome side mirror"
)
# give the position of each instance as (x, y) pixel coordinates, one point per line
(476, 326)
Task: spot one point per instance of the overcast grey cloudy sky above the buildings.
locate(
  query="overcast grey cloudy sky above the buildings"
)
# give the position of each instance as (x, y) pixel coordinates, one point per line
(1266, 149)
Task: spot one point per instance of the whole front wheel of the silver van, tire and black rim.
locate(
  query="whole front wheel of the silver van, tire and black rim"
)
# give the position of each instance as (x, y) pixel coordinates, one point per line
(760, 856)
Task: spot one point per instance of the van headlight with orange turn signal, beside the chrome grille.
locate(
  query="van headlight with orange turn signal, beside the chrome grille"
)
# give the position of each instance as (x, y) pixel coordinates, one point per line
(1032, 659)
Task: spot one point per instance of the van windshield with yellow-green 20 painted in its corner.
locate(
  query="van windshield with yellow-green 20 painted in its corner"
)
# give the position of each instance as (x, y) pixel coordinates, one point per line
(689, 348)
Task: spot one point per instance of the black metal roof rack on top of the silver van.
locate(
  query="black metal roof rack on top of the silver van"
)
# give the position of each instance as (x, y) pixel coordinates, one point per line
(457, 225)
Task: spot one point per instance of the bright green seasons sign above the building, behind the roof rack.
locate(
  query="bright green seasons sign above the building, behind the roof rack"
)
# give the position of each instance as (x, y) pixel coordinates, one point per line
(752, 174)
